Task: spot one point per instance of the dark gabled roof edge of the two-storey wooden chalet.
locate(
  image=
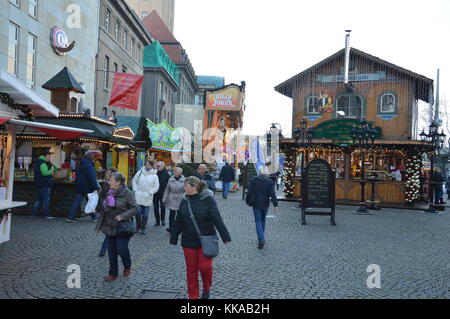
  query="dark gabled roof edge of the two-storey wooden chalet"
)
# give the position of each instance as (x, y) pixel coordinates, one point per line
(423, 82)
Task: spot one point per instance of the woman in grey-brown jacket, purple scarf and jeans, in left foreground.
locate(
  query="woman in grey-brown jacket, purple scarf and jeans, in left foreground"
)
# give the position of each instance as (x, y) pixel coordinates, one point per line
(116, 222)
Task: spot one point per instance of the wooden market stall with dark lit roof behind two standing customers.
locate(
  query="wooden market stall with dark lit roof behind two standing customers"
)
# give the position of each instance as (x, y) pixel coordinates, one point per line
(67, 151)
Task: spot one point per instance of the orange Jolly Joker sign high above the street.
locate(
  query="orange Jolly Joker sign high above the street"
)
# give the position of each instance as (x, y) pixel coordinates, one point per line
(228, 99)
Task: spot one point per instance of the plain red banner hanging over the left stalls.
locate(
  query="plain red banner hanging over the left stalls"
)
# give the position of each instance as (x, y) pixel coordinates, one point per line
(126, 90)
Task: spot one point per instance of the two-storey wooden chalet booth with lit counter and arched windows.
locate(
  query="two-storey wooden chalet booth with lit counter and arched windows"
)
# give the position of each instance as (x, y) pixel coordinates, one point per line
(360, 114)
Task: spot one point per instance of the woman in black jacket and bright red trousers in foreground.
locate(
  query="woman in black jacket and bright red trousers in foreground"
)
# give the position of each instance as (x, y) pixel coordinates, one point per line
(207, 216)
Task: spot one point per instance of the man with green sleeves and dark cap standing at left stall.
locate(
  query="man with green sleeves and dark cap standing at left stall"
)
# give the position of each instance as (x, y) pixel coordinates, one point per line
(43, 171)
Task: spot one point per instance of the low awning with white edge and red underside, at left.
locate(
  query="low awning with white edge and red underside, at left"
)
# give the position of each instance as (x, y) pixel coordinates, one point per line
(58, 131)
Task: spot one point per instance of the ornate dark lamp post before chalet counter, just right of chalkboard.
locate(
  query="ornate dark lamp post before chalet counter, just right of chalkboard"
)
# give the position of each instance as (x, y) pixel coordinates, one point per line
(363, 137)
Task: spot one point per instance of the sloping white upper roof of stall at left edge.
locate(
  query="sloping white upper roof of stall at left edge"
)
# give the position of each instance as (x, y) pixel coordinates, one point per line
(21, 94)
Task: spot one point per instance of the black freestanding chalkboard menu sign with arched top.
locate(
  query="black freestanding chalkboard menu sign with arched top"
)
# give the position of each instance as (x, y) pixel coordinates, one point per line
(318, 189)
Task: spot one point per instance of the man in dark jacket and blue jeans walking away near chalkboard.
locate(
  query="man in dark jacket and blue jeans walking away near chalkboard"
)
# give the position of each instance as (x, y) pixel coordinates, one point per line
(261, 190)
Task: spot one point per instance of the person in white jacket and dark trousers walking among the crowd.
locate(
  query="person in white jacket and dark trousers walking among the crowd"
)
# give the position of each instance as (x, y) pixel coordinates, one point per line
(145, 185)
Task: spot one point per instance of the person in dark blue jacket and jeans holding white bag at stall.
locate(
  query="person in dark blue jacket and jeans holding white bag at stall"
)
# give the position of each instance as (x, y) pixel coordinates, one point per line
(85, 183)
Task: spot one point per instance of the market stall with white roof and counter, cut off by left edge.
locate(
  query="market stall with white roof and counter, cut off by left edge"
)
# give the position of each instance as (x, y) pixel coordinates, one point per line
(20, 107)
